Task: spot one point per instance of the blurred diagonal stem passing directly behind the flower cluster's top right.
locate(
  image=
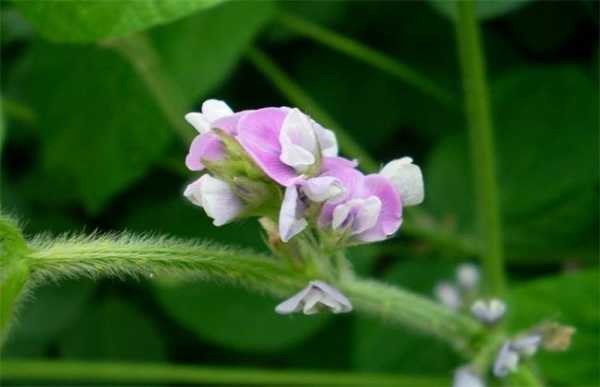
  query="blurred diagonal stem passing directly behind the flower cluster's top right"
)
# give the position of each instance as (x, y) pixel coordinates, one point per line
(297, 96)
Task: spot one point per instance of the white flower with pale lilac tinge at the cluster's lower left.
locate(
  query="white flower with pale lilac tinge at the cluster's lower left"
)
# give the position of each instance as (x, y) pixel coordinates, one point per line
(216, 197)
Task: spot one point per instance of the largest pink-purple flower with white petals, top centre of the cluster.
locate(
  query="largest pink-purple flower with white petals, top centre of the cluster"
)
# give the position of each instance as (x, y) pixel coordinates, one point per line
(285, 143)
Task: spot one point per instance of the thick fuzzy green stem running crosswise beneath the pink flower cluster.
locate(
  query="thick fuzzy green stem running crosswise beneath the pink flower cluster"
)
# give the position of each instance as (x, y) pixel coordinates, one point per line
(130, 256)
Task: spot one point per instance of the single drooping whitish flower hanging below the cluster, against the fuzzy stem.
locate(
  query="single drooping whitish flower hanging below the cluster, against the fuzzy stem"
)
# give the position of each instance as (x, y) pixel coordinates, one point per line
(316, 296)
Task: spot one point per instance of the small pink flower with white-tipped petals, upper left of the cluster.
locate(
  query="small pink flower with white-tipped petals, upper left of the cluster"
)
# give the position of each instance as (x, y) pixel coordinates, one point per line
(207, 145)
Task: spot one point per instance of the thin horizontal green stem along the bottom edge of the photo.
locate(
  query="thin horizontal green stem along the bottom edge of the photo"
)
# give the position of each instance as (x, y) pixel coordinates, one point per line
(141, 373)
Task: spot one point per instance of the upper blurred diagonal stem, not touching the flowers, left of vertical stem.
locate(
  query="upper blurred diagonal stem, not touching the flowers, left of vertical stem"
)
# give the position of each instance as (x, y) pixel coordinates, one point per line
(363, 53)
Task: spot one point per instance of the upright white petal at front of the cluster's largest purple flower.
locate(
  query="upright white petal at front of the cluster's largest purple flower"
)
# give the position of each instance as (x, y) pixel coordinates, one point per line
(298, 141)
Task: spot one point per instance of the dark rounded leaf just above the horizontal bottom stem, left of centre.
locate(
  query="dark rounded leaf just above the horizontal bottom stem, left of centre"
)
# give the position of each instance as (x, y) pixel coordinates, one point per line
(113, 330)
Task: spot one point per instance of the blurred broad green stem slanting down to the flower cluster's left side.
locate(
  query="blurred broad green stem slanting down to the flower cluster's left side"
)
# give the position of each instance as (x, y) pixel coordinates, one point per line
(138, 50)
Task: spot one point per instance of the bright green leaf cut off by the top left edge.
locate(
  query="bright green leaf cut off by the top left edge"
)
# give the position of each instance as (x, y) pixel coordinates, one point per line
(88, 21)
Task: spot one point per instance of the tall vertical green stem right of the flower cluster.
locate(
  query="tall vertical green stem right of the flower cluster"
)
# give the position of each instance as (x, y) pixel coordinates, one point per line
(482, 144)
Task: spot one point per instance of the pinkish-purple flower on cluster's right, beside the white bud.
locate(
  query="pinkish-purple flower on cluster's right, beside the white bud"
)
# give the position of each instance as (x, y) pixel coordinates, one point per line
(370, 209)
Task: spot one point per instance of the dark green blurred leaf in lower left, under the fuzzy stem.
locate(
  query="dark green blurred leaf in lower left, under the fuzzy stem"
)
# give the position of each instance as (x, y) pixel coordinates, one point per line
(51, 309)
